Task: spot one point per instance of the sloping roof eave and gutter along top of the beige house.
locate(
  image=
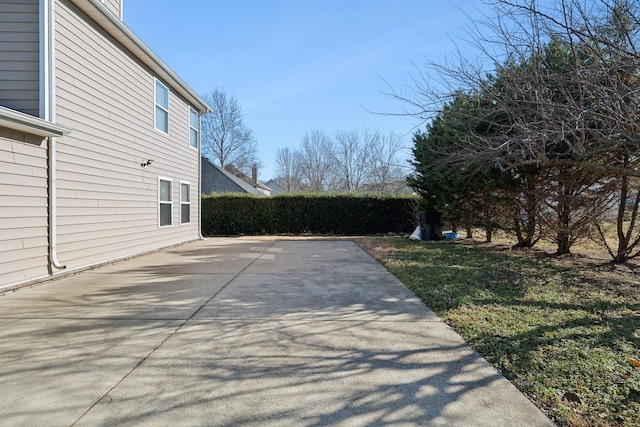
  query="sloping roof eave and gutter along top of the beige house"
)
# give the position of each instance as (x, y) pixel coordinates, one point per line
(119, 31)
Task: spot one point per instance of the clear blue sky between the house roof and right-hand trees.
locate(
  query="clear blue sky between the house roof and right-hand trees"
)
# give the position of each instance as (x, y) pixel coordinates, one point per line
(296, 65)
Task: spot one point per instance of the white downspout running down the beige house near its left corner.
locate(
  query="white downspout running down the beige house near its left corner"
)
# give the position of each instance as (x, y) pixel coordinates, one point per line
(47, 89)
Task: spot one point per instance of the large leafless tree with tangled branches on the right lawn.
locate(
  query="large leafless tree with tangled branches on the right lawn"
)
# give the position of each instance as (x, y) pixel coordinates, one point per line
(563, 95)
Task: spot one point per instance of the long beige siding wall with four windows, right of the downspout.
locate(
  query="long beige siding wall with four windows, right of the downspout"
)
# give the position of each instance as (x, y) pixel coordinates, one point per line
(108, 203)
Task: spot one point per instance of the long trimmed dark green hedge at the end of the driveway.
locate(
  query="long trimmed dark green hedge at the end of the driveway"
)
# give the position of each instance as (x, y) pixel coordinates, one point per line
(340, 214)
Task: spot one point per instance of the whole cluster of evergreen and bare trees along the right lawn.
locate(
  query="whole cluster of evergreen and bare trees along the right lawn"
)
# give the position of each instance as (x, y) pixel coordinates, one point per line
(548, 144)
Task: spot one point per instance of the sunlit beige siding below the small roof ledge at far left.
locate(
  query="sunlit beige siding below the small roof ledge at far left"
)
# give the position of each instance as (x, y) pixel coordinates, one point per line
(23, 203)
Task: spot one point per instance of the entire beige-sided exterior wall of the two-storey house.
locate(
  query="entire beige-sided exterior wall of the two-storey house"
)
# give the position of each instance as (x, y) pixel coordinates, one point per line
(98, 132)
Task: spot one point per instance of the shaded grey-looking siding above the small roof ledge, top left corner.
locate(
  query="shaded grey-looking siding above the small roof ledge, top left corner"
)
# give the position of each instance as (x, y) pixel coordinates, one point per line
(20, 53)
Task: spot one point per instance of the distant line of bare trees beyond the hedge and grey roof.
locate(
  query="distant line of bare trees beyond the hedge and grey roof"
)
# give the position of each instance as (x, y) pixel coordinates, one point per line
(348, 160)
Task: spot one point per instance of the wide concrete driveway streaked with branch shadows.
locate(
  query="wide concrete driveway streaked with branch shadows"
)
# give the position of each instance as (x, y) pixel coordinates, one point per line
(229, 332)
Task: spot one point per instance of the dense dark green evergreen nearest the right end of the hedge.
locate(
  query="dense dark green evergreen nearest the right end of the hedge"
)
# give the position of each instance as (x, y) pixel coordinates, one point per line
(467, 194)
